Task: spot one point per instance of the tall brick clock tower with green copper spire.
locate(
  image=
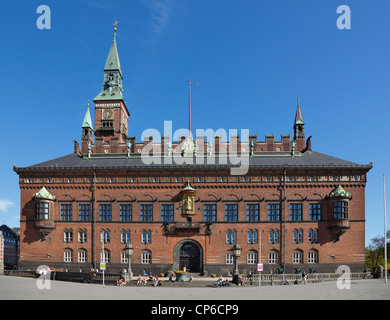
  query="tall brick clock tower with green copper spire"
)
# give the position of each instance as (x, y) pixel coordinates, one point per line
(111, 114)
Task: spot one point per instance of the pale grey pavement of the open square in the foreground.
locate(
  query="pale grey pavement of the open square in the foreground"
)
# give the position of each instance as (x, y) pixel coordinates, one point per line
(12, 288)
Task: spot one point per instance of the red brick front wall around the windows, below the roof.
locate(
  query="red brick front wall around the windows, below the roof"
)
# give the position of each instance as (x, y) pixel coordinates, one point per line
(348, 250)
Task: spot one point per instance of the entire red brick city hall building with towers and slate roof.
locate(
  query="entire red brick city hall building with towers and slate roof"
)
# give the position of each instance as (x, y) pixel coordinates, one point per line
(184, 204)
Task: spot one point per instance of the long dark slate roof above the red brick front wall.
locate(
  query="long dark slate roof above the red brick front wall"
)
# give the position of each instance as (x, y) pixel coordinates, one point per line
(272, 160)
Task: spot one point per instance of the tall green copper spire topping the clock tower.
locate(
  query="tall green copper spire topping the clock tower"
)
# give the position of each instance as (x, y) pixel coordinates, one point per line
(112, 83)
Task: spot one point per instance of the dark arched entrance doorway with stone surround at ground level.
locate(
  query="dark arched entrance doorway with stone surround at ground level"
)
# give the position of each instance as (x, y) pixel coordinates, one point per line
(188, 253)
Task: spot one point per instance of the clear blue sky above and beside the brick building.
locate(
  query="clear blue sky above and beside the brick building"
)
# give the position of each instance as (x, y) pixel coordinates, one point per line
(252, 59)
